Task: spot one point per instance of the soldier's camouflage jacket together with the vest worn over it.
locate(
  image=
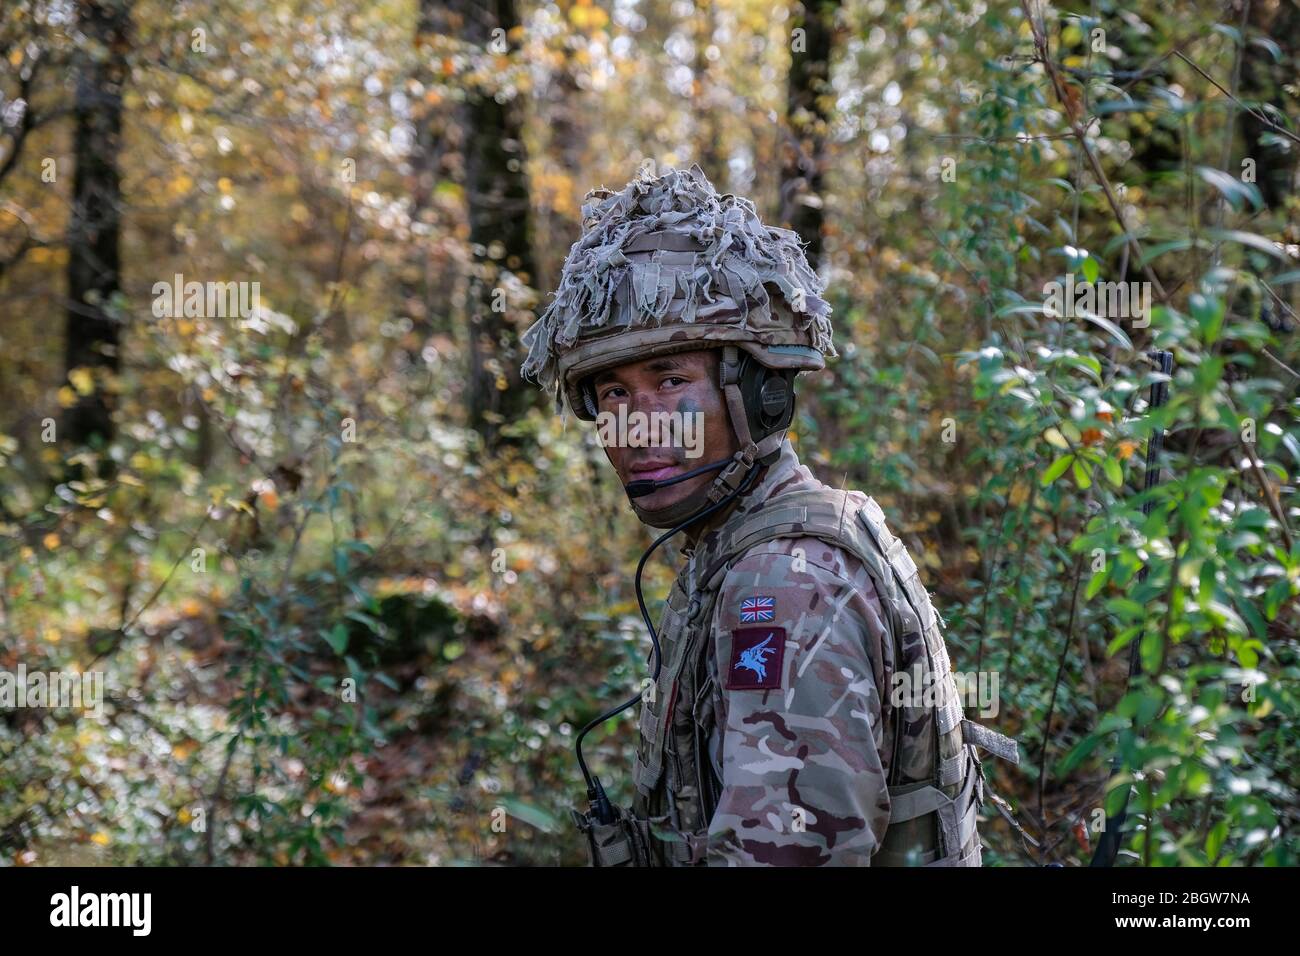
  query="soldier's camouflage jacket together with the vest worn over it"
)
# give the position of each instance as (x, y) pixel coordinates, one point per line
(770, 738)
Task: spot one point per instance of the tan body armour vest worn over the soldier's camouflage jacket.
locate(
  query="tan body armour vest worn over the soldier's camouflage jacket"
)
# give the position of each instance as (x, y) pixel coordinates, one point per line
(935, 780)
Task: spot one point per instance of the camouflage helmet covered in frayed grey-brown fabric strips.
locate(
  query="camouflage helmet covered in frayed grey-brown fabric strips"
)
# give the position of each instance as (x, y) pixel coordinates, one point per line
(668, 266)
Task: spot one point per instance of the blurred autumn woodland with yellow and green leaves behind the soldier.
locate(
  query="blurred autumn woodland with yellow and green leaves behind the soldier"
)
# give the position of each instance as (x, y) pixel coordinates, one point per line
(354, 586)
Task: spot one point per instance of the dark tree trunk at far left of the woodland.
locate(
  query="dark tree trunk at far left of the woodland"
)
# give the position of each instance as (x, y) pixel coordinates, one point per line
(94, 334)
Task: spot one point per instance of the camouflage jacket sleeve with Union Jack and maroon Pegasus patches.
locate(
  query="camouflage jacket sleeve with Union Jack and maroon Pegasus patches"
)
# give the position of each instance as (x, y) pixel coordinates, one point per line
(799, 654)
